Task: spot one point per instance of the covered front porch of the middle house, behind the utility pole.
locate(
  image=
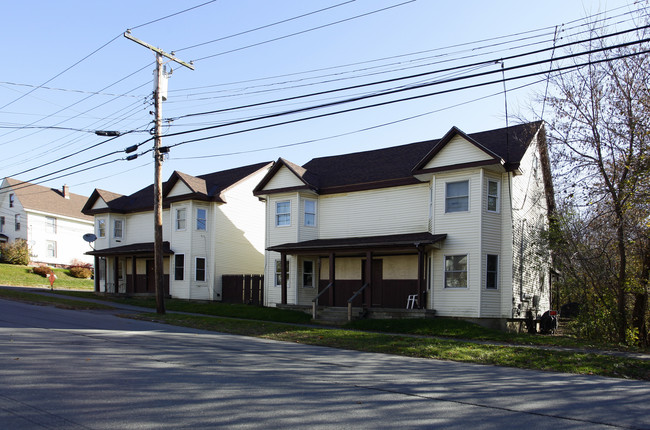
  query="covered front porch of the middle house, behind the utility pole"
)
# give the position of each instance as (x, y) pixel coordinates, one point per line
(129, 269)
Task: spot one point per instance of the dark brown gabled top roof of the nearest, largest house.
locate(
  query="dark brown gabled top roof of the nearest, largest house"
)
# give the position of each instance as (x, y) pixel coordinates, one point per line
(394, 165)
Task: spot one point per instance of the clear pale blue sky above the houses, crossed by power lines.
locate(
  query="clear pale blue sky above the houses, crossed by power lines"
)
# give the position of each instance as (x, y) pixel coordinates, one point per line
(68, 71)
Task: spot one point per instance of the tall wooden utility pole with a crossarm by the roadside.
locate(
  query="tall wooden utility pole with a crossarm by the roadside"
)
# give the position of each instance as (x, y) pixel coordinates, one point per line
(158, 159)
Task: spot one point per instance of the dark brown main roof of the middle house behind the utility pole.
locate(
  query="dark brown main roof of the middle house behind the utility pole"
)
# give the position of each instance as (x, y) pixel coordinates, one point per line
(208, 187)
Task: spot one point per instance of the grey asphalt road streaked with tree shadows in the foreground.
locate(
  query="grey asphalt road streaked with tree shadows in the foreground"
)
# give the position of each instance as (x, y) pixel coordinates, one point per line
(68, 369)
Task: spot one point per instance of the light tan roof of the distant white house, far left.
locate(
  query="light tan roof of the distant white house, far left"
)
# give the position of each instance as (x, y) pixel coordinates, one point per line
(49, 200)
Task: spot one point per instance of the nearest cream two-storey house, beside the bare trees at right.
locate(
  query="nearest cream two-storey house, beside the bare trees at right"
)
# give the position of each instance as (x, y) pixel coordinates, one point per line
(453, 222)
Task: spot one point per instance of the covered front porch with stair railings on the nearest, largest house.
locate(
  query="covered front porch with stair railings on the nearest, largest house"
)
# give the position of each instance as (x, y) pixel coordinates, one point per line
(369, 289)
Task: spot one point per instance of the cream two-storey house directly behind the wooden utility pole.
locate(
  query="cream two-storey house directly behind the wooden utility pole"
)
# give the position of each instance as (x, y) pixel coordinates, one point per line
(212, 226)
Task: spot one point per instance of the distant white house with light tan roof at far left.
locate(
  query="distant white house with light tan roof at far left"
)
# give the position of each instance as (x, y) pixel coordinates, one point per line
(49, 220)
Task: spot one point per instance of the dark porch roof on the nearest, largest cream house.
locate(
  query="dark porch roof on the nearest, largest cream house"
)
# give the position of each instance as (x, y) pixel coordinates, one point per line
(393, 242)
